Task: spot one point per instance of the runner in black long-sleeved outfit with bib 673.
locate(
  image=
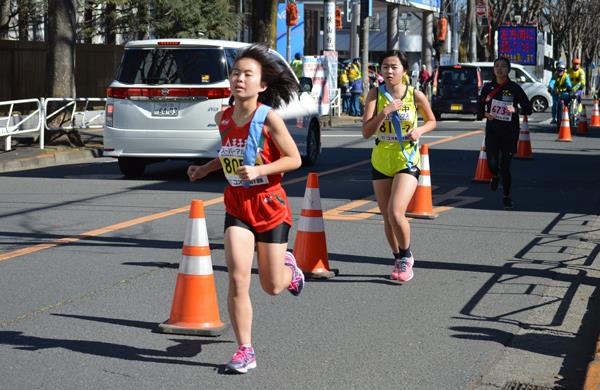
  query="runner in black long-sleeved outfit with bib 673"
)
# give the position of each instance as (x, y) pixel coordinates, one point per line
(499, 103)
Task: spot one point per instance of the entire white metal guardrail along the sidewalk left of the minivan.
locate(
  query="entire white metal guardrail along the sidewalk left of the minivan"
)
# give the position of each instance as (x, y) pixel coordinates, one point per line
(79, 113)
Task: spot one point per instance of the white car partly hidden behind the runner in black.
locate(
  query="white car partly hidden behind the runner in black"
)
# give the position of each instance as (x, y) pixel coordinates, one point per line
(536, 91)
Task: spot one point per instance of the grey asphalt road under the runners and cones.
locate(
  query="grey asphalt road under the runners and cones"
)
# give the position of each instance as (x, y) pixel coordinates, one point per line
(88, 262)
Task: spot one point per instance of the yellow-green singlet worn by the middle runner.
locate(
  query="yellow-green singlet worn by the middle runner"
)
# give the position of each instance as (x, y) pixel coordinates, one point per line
(390, 156)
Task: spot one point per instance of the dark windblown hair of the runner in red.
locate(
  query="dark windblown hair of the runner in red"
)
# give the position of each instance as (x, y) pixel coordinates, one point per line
(281, 83)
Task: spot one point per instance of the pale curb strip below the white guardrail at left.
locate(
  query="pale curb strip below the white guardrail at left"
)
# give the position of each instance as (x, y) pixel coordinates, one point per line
(50, 158)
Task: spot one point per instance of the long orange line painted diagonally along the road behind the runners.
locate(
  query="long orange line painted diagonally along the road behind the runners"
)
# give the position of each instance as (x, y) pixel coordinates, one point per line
(168, 213)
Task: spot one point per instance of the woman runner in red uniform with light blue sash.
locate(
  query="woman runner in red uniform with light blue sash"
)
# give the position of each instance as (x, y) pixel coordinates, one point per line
(256, 149)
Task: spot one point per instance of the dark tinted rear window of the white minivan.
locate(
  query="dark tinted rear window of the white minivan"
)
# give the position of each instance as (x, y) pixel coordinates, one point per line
(172, 66)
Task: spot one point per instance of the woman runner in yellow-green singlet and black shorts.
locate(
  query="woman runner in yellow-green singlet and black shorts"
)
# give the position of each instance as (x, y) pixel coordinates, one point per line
(391, 115)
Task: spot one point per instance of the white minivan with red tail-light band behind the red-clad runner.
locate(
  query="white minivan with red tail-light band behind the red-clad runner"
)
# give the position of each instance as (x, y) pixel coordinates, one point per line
(166, 93)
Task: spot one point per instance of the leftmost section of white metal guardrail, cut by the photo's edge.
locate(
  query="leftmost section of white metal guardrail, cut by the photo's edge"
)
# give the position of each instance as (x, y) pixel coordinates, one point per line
(8, 129)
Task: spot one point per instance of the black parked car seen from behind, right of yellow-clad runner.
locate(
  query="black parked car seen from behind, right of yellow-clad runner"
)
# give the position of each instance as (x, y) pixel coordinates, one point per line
(455, 90)
